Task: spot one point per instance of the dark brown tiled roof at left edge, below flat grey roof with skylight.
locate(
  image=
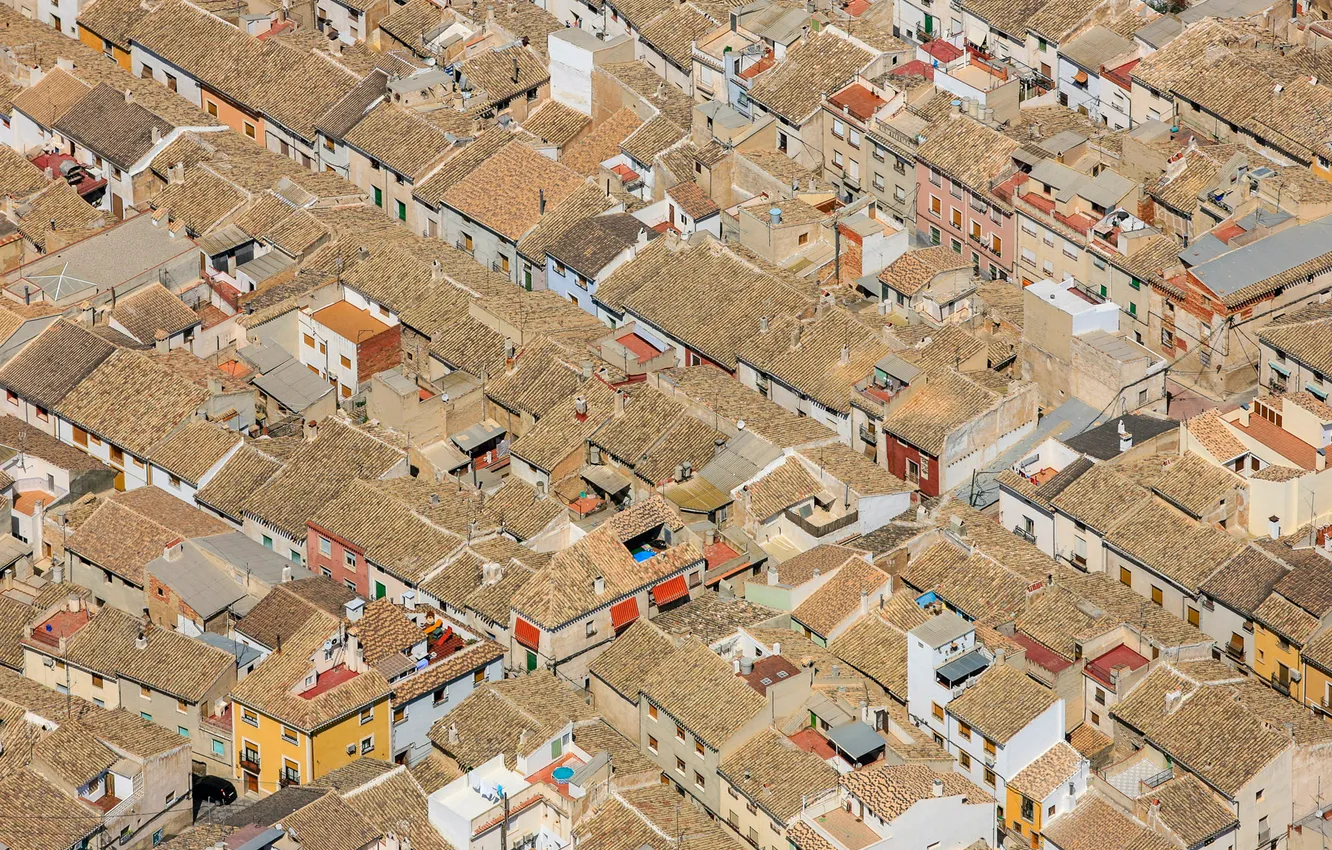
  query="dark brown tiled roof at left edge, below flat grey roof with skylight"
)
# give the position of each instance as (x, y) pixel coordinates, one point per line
(54, 364)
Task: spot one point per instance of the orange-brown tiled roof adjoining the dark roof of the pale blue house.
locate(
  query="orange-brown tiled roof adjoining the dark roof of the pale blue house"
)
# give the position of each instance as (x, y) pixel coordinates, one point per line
(503, 194)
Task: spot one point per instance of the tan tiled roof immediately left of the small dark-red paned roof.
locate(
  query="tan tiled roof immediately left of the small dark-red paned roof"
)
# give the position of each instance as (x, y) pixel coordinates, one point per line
(701, 691)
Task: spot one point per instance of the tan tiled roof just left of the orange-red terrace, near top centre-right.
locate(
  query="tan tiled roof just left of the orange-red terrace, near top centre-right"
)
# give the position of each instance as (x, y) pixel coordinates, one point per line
(812, 70)
